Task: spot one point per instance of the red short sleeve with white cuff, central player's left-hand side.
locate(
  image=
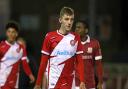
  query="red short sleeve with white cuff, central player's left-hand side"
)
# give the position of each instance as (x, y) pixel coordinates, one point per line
(46, 45)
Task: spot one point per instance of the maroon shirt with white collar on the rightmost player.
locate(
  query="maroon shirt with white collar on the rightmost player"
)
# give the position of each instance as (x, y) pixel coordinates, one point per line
(91, 56)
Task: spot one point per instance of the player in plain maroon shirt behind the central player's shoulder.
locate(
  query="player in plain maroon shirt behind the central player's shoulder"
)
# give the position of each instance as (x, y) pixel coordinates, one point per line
(91, 56)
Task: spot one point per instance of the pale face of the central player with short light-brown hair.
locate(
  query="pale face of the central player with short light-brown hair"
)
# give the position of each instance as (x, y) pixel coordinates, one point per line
(67, 21)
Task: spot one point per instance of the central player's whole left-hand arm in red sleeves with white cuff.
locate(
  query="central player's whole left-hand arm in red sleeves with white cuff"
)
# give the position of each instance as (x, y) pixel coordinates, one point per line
(44, 61)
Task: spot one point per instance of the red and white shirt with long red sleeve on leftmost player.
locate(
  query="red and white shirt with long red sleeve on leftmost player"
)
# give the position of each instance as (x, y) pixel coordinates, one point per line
(10, 57)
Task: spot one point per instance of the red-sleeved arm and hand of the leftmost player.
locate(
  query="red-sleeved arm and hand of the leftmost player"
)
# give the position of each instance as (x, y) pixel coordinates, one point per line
(26, 66)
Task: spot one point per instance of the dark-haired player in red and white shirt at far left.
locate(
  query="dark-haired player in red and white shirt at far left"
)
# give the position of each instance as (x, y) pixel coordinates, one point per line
(11, 54)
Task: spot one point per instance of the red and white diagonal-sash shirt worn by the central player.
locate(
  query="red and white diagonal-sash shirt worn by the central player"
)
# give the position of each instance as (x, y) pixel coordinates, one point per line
(62, 50)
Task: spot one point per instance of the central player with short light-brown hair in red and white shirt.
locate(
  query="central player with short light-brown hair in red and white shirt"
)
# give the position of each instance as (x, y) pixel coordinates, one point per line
(60, 50)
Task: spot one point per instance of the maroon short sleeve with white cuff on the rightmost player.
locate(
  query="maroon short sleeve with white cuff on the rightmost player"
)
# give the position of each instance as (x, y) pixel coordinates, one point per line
(97, 52)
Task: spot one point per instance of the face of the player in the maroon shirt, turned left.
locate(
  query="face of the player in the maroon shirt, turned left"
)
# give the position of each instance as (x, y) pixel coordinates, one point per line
(80, 29)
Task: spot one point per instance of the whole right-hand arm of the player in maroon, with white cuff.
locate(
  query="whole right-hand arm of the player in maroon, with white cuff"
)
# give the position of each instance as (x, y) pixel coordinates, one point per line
(99, 67)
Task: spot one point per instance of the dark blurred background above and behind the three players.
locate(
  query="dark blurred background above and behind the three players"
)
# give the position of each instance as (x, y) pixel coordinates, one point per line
(37, 17)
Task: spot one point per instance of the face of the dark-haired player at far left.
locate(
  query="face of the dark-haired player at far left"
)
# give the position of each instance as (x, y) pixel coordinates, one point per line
(11, 34)
